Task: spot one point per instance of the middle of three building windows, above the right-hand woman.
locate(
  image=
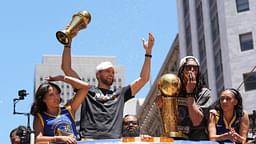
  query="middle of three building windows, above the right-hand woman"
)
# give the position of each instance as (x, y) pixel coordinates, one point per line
(246, 42)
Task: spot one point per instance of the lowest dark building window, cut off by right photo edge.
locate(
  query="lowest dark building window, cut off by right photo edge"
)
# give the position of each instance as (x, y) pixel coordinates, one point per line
(249, 81)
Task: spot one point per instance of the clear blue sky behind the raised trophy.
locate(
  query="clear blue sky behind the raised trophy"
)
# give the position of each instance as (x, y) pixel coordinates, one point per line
(28, 32)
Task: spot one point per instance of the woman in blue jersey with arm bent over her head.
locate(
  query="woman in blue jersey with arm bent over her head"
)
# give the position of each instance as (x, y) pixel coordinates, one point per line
(53, 123)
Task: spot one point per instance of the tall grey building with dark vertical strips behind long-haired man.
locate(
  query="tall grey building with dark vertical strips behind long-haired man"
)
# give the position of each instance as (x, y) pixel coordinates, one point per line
(221, 33)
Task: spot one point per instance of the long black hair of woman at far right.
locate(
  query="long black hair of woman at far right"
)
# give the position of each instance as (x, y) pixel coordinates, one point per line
(239, 106)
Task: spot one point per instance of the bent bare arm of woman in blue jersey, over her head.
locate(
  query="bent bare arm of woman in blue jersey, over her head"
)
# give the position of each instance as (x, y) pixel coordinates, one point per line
(81, 86)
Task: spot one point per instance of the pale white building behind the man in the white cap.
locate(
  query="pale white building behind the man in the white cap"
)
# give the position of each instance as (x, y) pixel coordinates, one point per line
(85, 66)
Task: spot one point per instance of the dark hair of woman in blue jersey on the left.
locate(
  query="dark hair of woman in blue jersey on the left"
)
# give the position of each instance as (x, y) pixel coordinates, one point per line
(38, 104)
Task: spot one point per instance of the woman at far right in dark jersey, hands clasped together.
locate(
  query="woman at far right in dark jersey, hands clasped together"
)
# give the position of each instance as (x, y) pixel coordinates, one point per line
(228, 122)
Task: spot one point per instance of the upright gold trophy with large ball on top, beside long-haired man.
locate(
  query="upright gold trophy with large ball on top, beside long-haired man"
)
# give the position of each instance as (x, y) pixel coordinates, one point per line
(169, 86)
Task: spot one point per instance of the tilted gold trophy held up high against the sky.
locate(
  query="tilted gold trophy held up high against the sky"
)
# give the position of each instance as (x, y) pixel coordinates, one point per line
(79, 21)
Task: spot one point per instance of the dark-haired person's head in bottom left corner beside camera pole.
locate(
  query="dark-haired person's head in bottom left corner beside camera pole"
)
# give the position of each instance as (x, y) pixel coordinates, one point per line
(20, 135)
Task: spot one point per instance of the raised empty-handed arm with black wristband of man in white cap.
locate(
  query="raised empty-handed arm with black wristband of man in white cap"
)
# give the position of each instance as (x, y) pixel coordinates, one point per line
(145, 71)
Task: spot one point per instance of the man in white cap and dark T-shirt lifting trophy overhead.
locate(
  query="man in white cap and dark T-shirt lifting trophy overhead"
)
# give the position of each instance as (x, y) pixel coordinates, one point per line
(102, 110)
